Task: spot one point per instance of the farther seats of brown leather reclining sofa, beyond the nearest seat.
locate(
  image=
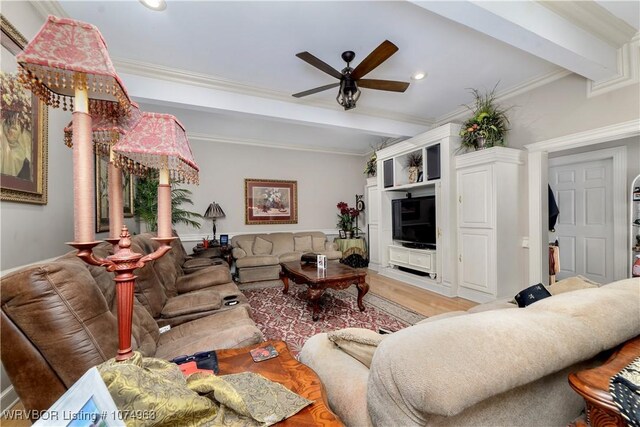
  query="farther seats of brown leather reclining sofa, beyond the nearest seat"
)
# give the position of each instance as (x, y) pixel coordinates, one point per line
(173, 298)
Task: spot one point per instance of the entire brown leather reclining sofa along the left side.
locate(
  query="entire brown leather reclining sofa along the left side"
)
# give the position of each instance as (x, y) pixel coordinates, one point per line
(59, 319)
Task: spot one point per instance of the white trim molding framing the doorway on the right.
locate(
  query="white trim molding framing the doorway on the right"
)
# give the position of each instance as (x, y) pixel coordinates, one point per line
(538, 181)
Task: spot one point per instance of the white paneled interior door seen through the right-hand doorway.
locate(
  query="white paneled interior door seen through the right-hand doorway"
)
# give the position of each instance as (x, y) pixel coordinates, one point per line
(584, 194)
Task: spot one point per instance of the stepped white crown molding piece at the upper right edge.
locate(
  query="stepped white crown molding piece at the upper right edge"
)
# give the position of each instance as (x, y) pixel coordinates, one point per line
(628, 70)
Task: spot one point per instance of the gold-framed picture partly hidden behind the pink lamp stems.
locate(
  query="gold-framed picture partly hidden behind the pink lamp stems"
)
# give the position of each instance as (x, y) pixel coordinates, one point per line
(102, 194)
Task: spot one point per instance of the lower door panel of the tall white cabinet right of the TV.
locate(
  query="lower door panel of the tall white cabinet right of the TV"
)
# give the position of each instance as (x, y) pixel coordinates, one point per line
(476, 259)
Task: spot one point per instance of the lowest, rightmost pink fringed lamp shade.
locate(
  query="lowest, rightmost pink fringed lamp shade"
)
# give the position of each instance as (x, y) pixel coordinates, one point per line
(159, 141)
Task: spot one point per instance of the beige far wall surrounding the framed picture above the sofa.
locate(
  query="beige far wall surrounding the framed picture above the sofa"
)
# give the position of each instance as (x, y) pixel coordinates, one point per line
(323, 181)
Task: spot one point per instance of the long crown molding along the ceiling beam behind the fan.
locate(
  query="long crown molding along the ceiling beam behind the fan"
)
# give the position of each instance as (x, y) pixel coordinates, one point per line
(209, 81)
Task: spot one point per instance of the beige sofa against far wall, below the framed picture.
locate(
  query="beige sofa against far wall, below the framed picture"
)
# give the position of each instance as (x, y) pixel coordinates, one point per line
(258, 256)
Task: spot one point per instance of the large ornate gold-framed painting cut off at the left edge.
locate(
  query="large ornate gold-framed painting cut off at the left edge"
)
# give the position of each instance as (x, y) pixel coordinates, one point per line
(23, 118)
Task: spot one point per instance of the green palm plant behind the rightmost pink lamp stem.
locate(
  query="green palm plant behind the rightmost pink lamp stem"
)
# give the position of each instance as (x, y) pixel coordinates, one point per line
(146, 204)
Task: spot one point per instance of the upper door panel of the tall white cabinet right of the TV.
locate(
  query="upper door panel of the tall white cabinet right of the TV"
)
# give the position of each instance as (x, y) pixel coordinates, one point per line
(475, 197)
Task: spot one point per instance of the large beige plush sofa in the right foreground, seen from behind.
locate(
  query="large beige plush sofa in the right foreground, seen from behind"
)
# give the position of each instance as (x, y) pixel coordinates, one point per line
(499, 367)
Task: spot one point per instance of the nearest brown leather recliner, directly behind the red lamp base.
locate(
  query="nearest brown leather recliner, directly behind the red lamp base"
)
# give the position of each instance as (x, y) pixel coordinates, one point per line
(58, 320)
